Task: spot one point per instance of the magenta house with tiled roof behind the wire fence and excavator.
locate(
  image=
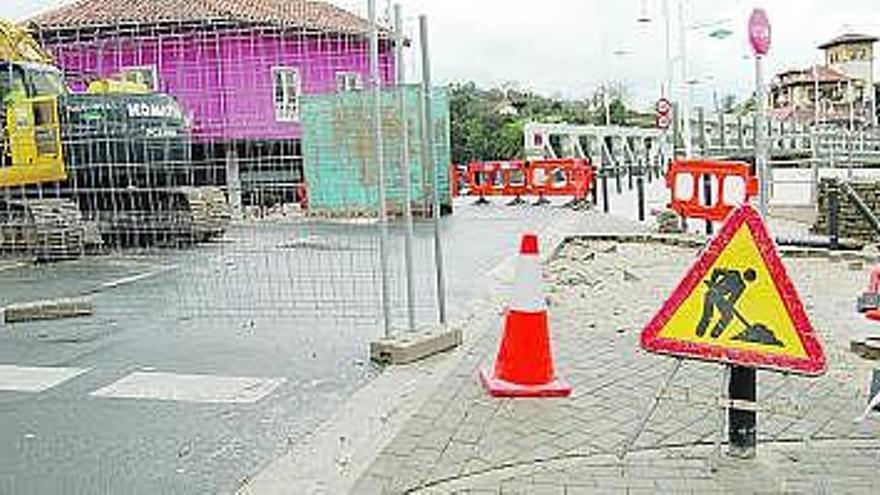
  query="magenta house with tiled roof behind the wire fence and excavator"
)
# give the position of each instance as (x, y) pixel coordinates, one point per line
(237, 67)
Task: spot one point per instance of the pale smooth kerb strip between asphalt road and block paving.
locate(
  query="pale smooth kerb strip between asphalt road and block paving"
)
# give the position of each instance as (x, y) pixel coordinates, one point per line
(332, 459)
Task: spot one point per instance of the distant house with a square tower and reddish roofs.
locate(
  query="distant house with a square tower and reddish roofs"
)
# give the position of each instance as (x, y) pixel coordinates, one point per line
(844, 86)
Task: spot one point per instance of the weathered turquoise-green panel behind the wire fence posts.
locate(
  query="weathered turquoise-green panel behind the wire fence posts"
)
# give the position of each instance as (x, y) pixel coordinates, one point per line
(339, 153)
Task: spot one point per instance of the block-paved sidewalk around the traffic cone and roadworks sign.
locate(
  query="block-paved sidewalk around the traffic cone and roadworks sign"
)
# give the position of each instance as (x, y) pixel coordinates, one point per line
(601, 294)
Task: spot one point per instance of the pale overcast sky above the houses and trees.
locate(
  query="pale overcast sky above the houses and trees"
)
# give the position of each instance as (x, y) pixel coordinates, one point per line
(569, 47)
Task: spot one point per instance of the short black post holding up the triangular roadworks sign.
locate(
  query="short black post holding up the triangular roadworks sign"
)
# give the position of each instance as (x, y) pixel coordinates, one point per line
(742, 433)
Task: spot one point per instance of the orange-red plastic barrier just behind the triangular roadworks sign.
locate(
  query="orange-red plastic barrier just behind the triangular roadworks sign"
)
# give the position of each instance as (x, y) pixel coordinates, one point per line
(685, 180)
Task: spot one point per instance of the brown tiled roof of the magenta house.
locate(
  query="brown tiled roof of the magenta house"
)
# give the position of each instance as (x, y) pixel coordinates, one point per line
(307, 14)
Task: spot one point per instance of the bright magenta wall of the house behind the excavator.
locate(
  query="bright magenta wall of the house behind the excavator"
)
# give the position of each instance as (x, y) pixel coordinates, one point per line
(224, 78)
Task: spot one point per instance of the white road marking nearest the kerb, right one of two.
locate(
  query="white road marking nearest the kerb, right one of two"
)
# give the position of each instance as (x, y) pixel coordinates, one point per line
(190, 388)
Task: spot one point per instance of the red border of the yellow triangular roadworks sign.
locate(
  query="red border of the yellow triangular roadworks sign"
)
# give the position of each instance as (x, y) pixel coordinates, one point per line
(812, 364)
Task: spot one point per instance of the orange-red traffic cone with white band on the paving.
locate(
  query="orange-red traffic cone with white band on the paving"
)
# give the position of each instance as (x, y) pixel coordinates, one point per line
(524, 367)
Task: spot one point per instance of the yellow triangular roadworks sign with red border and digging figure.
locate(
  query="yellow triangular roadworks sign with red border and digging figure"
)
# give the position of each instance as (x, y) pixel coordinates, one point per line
(737, 305)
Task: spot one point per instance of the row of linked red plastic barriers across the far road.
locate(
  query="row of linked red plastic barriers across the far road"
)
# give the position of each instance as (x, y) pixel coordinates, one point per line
(559, 177)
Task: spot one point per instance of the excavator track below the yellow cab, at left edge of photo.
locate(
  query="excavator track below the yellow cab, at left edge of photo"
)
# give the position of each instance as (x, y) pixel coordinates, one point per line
(45, 229)
